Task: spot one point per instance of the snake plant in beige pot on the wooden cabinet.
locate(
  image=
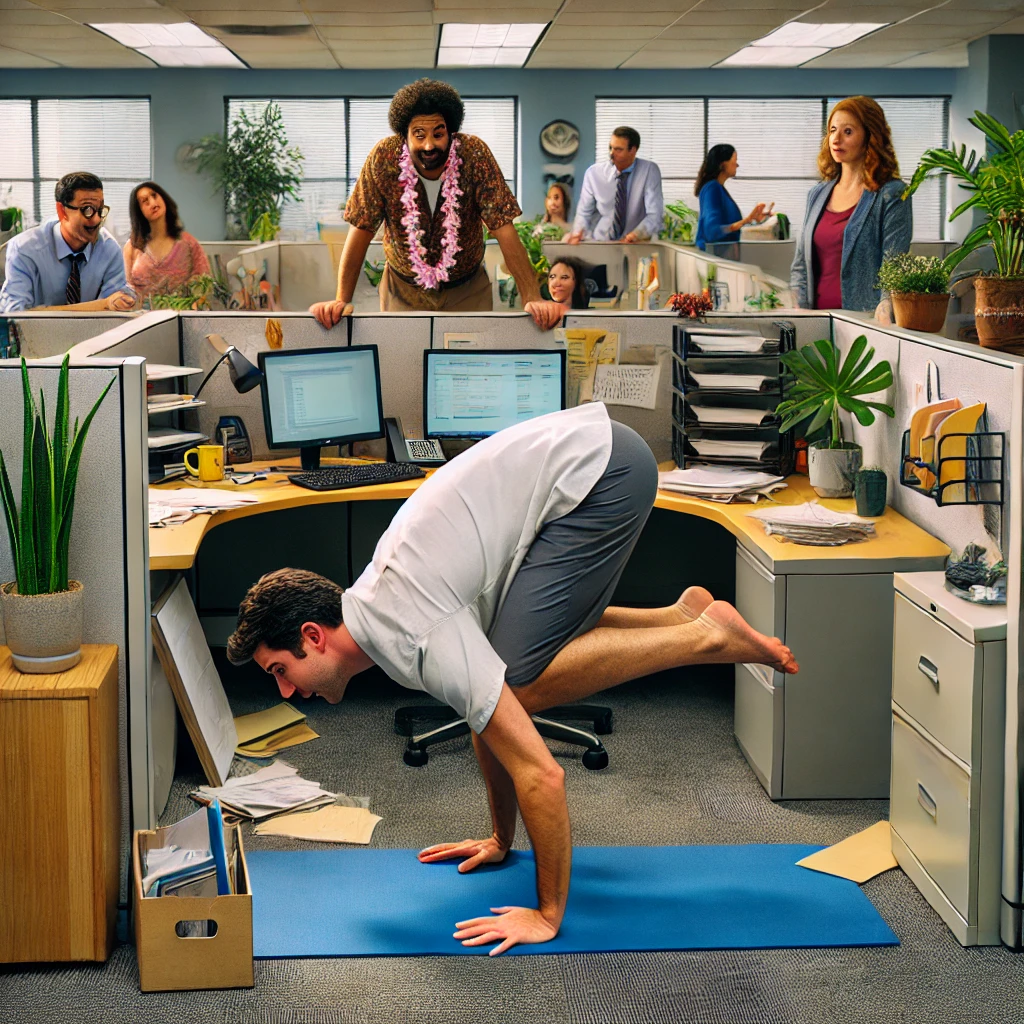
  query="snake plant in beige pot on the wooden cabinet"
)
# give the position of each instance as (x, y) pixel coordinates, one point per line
(42, 609)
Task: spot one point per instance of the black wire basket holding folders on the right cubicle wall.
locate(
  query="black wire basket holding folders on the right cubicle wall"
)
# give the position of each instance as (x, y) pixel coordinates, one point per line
(983, 474)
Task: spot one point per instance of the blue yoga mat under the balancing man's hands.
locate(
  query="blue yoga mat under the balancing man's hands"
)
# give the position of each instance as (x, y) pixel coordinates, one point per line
(387, 904)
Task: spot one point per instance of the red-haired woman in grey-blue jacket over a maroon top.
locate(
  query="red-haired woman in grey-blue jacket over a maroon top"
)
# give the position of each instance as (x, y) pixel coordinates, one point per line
(856, 217)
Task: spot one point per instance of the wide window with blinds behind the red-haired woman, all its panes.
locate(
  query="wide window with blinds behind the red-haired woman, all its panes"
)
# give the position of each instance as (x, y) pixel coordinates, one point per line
(778, 142)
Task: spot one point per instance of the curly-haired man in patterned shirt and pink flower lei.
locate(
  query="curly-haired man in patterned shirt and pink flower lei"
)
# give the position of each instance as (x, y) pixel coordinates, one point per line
(436, 190)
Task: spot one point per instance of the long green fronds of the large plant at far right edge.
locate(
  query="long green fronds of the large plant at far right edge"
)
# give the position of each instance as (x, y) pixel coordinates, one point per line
(996, 184)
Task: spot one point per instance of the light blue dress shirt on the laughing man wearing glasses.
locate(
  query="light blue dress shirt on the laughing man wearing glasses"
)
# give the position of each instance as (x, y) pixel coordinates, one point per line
(39, 266)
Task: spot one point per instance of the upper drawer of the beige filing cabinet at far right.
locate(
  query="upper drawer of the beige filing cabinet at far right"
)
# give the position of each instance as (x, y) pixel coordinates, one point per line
(935, 675)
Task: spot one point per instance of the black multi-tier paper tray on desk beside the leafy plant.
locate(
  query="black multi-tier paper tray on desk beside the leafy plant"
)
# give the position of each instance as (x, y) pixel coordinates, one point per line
(780, 457)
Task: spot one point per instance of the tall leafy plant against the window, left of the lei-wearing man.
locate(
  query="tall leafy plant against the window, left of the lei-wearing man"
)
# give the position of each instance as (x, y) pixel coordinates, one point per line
(255, 168)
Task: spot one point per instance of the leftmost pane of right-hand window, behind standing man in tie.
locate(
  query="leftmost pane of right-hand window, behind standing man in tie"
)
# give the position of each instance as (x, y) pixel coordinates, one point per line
(672, 134)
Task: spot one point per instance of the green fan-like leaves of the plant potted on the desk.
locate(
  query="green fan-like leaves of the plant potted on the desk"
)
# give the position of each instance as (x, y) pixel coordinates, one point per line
(822, 388)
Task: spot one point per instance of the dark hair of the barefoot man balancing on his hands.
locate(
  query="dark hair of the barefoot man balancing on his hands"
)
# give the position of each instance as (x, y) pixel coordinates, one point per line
(275, 609)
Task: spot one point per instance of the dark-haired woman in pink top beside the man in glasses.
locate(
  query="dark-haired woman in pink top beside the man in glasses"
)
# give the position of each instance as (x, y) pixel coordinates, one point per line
(160, 258)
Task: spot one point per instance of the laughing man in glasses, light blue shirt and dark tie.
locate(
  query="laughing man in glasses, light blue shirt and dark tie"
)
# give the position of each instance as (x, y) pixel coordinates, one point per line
(70, 262)
